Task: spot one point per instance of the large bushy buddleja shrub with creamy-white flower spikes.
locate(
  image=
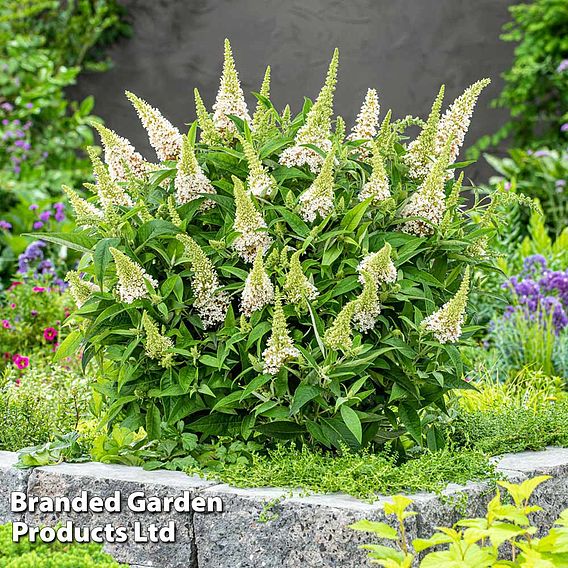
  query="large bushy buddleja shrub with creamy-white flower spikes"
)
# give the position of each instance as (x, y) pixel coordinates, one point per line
(271, 278)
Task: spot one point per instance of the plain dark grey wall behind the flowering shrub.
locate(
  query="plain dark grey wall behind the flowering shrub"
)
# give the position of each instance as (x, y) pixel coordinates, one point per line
(404, 48)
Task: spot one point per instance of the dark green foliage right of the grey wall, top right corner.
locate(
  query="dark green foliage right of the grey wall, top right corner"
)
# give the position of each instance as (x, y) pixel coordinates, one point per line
(536, 86)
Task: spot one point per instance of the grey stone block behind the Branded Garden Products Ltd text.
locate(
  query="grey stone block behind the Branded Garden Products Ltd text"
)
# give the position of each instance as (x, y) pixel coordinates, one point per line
(103, 480)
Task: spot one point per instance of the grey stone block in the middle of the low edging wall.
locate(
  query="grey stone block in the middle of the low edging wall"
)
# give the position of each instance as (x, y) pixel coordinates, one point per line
(304, 531)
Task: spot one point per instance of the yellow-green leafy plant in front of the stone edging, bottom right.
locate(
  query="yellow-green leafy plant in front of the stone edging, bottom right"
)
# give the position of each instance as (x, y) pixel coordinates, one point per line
(504, 537)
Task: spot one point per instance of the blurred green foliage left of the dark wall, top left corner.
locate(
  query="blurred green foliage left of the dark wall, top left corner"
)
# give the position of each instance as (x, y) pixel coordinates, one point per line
(43, 47)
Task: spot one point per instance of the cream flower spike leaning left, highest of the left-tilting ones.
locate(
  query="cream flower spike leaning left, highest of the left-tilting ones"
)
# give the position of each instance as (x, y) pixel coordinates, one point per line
(164, 137)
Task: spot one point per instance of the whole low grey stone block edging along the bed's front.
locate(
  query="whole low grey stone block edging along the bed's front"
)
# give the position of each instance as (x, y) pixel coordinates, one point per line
(308, 531)
